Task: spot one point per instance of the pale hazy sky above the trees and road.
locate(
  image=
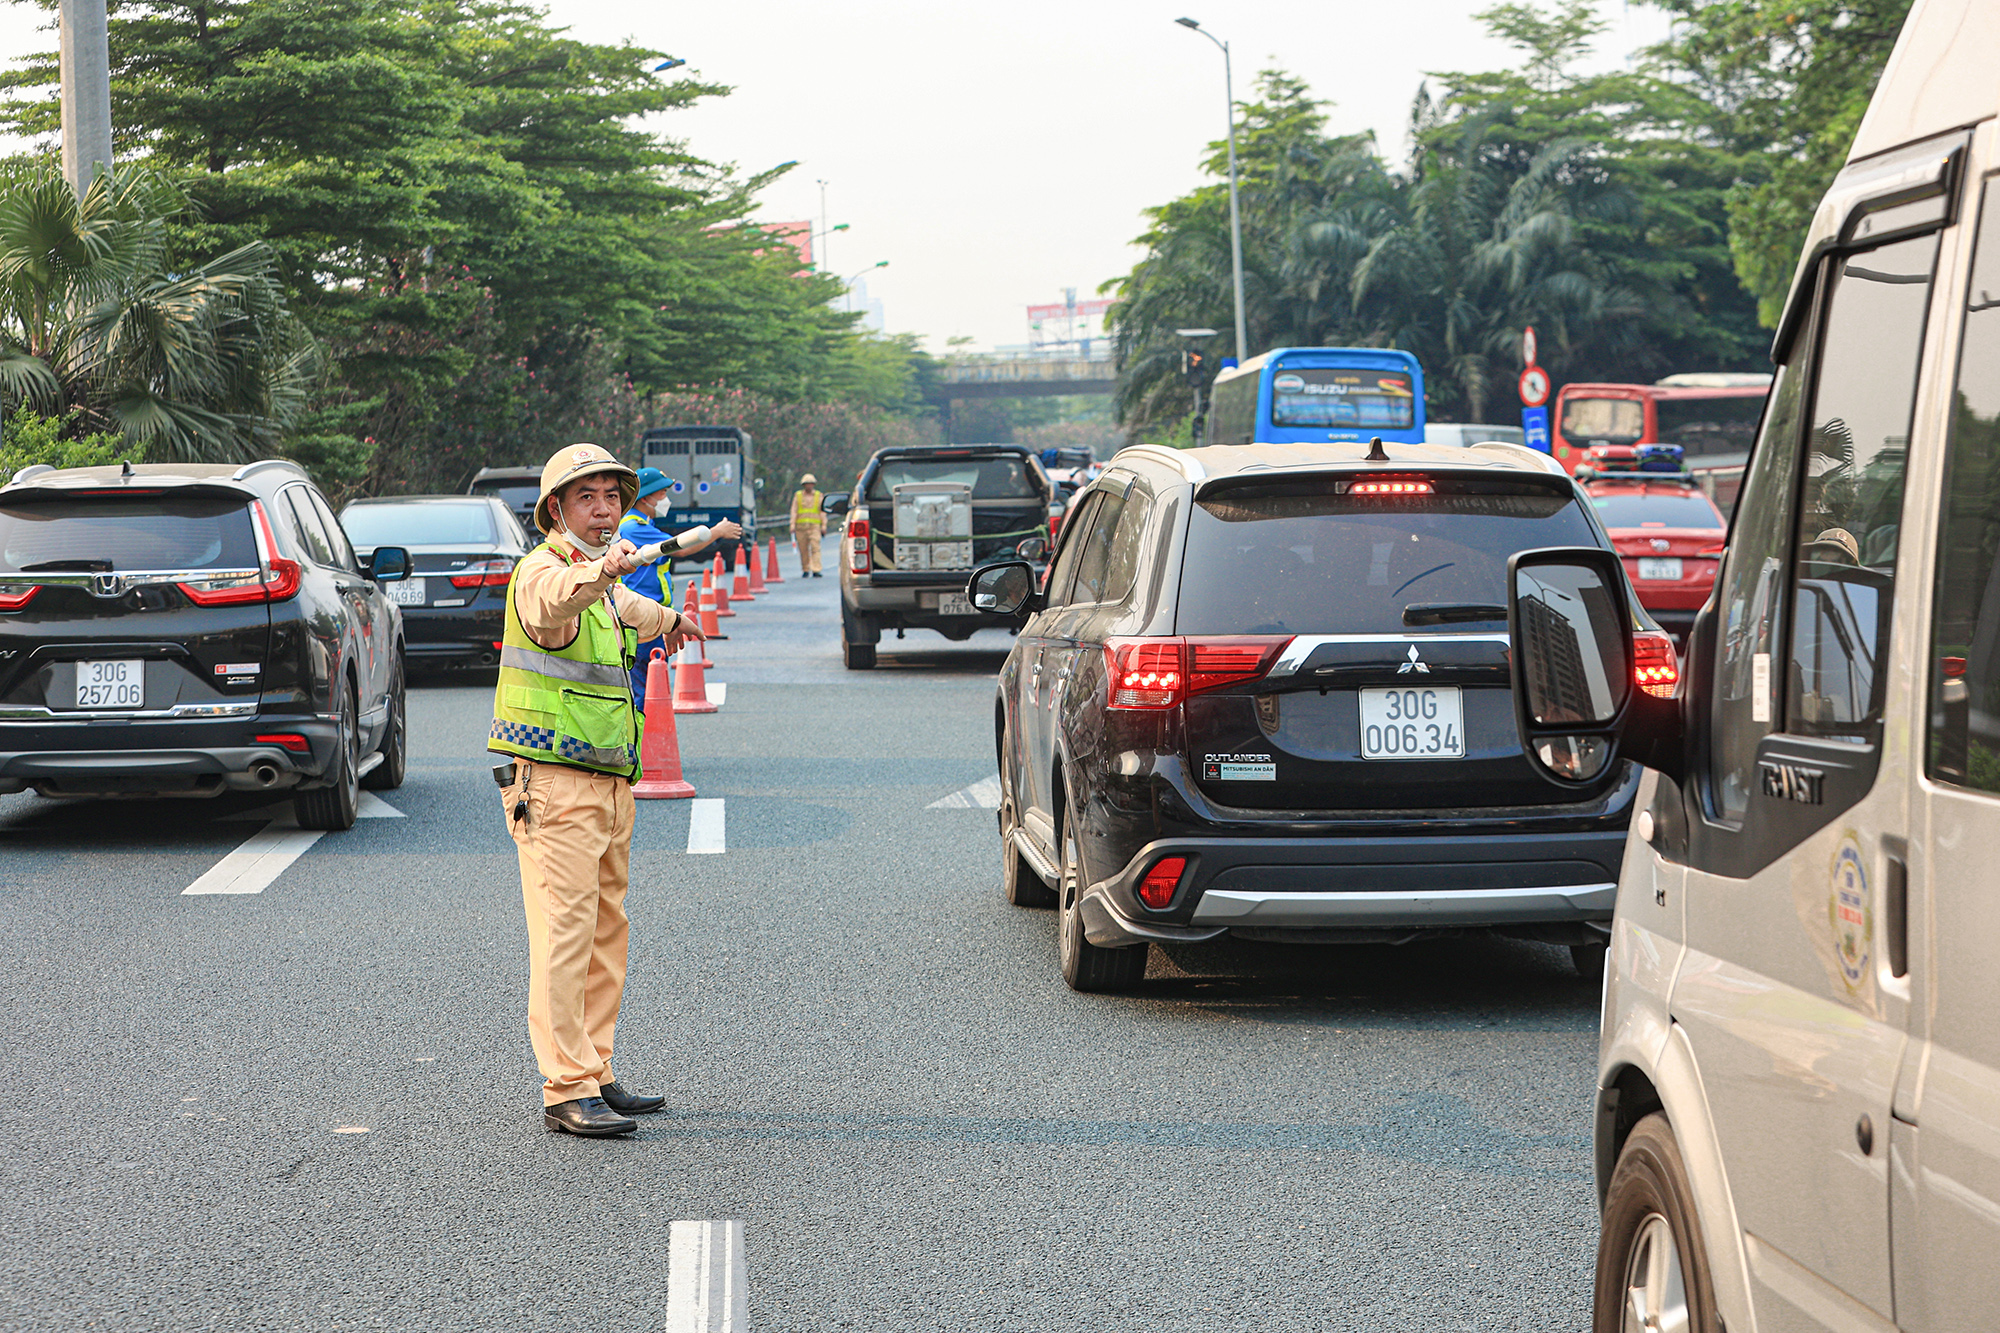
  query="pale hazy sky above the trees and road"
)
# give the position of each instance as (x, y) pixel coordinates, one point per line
(997, 155)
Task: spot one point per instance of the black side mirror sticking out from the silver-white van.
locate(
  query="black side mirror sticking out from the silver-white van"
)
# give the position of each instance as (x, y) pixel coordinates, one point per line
(1573, 665)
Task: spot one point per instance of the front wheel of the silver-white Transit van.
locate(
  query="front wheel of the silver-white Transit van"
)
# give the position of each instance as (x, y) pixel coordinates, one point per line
(1651, 1256)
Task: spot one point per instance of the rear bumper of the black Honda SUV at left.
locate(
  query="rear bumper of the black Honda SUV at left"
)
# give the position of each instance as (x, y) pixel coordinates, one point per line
(129, 758)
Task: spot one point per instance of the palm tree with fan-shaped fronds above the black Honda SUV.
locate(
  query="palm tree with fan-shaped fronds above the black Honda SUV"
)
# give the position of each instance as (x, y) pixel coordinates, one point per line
(197, 365)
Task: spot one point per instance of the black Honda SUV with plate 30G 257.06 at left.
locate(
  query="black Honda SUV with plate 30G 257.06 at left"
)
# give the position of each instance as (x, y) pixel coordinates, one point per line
(193, 629)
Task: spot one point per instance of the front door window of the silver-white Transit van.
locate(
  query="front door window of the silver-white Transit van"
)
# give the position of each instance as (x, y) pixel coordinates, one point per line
(1851, 507)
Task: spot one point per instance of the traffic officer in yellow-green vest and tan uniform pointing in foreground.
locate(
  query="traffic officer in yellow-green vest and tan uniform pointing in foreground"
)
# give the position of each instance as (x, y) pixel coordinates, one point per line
(563, 714)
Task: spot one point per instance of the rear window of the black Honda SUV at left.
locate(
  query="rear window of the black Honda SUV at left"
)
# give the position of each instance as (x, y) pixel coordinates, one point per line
(103, 535)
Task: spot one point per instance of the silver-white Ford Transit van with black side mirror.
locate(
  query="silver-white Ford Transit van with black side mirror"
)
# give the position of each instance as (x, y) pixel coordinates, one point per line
(1799, 1112)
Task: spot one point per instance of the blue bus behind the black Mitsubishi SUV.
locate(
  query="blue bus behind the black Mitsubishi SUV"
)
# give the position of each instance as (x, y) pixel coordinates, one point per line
(1319, 393)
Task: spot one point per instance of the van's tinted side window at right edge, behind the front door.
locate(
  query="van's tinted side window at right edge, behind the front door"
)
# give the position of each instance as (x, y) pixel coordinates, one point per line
(1965, 629)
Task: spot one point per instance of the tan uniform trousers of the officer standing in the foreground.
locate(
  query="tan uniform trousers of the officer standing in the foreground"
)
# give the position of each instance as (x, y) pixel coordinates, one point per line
(575, 856)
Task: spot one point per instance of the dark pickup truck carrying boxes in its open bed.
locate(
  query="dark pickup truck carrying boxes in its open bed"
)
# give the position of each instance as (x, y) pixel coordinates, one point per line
(1011, 497)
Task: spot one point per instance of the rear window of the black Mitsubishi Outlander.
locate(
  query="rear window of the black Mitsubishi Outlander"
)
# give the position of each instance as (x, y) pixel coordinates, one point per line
(1309, 561)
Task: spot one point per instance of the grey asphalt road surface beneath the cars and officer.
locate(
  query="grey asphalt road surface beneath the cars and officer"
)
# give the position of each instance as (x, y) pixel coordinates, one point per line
(315, 1108)
